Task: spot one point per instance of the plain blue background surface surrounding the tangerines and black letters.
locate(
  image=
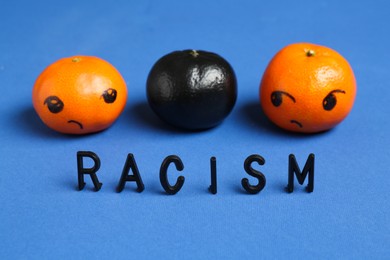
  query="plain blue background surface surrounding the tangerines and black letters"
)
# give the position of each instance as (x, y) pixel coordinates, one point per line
(43, 216)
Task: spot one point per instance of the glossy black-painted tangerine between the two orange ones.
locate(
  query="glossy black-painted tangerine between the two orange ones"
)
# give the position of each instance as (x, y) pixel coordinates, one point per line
(192, 89)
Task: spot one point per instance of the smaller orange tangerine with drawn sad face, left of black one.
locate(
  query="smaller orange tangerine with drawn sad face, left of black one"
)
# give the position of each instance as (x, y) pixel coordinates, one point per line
(79, 98)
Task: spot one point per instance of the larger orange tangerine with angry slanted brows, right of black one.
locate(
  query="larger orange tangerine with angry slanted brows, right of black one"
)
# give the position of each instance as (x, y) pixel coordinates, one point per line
(307, 94)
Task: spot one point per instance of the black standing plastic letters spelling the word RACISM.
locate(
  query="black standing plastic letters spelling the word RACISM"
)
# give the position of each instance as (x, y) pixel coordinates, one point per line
(130, 164)
